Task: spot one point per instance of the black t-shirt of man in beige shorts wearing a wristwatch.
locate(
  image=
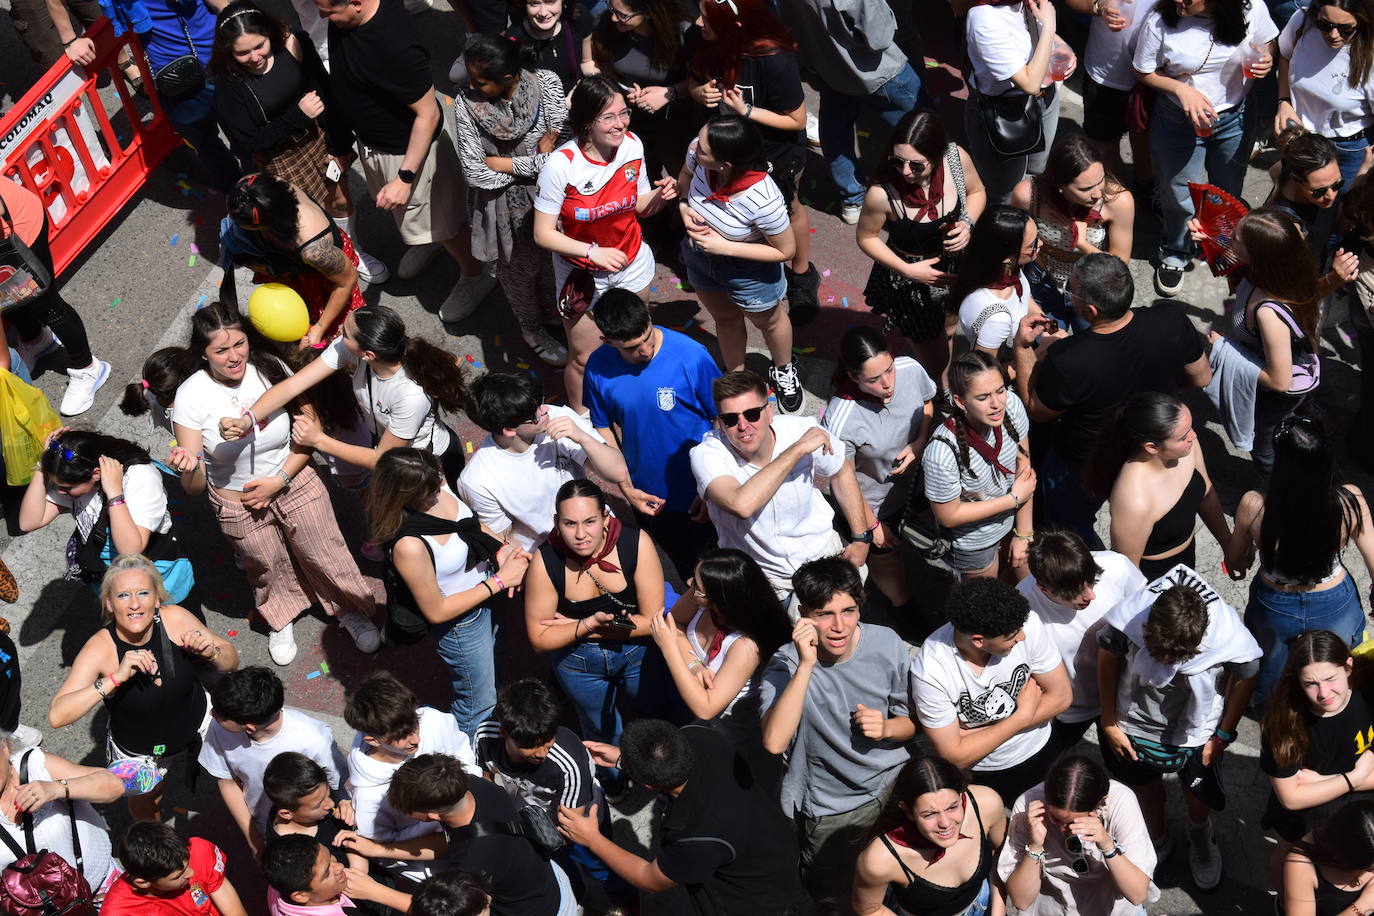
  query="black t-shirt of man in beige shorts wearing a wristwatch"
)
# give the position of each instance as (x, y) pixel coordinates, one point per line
(377, 72)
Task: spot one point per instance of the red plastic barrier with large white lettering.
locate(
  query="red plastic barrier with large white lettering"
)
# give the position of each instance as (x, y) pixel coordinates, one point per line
(83, 159)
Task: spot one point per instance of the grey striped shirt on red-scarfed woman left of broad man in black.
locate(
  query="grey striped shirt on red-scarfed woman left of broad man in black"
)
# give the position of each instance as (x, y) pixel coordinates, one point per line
(946, 481)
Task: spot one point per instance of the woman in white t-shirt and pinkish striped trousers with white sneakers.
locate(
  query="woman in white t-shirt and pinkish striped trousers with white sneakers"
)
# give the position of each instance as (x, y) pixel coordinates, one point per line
(267, 498)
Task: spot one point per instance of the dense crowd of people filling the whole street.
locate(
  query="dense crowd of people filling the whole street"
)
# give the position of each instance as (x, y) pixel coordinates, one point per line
(700, 619)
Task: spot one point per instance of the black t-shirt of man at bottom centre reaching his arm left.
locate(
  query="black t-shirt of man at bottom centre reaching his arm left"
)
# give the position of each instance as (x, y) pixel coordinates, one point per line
(725, 840)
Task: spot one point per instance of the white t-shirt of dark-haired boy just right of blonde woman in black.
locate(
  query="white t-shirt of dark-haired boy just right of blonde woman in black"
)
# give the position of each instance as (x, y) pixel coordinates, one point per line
(236, 756)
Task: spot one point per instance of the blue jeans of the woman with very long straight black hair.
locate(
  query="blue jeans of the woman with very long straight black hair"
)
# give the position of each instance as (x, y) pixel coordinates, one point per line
(1276, 617)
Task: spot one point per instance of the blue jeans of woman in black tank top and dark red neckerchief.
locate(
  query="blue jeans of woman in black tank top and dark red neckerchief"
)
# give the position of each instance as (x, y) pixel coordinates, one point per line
(600, 676)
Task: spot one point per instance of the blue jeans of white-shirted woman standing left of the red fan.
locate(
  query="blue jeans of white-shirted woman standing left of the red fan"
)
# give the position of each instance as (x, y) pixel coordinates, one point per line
(1181, 156)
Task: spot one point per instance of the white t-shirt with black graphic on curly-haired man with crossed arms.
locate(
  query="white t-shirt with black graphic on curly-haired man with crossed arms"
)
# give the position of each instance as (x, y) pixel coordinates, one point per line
(945, 690)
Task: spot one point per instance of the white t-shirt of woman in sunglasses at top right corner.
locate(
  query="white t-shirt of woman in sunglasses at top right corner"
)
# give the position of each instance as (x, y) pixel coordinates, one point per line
(1320, 83)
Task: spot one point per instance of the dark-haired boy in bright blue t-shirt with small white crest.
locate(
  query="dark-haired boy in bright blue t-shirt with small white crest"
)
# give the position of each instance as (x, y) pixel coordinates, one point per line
(663, 381)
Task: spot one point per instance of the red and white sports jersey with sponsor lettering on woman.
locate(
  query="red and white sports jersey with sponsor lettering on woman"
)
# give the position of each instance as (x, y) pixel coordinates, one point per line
(596, 201)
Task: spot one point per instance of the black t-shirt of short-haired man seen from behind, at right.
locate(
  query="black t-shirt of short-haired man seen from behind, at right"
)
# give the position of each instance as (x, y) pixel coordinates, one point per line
(1089, 374)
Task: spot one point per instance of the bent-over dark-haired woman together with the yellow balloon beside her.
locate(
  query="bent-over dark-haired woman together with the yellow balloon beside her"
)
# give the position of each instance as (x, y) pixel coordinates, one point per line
(307, 260)
